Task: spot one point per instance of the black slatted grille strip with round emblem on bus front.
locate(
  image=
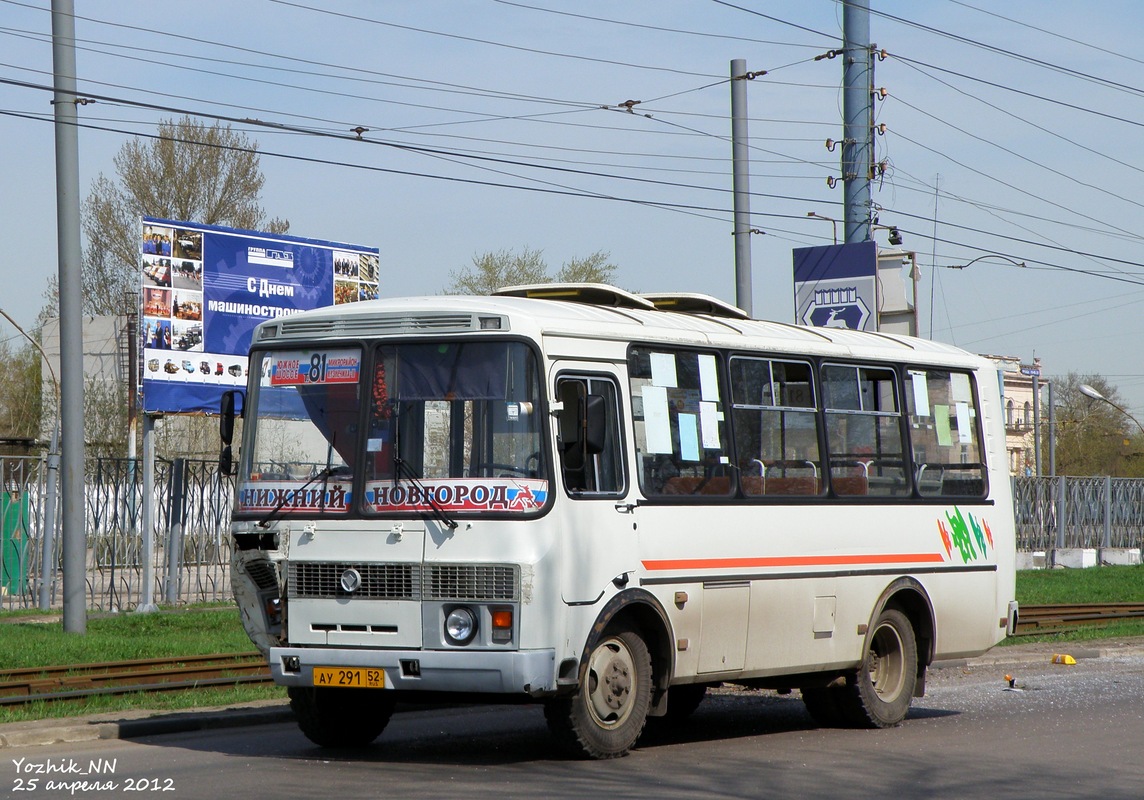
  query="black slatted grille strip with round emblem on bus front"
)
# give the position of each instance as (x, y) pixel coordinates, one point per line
(407, 582)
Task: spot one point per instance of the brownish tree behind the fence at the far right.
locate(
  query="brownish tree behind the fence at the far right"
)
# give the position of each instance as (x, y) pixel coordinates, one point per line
(1093, 437)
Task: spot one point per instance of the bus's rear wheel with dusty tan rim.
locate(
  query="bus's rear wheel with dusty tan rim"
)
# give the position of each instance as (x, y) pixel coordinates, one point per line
(878, 695)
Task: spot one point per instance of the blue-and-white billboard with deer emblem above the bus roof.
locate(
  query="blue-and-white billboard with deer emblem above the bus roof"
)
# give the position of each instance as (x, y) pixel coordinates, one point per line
(836, 287)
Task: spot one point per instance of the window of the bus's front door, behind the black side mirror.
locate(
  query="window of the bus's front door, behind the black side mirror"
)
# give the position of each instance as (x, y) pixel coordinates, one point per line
(598, 470)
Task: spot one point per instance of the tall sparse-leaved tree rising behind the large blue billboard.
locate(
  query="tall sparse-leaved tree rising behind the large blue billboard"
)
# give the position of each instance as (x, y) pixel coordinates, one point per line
(190, 171)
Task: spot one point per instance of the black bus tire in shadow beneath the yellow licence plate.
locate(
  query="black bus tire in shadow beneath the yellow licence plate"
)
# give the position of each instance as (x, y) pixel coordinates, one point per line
(341, 718)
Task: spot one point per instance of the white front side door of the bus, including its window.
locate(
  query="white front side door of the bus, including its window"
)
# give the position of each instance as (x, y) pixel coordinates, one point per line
(599, 541)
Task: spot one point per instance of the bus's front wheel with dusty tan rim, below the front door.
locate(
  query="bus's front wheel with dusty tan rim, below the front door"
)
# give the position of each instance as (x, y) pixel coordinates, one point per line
(606, 718)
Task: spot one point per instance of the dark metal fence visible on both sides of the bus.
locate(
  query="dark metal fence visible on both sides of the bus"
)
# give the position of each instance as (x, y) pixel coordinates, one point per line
(192, 549)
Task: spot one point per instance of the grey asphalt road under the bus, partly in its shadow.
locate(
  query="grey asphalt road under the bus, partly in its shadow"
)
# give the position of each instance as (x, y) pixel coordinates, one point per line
(1067, 732)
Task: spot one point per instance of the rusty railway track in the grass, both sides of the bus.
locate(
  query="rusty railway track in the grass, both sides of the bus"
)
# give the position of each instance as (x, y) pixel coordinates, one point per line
(76, 682)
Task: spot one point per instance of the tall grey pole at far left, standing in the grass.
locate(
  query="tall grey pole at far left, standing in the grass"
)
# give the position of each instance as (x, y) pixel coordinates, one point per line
(71, 321)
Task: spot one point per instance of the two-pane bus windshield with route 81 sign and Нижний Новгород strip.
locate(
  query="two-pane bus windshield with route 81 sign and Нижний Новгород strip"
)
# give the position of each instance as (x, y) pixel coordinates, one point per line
(407, 427)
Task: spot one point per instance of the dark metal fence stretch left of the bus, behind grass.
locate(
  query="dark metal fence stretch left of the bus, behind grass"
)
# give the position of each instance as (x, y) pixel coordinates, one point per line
(192, 552)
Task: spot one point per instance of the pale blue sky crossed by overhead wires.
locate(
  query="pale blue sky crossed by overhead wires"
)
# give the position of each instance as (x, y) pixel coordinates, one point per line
(1013, 136)
